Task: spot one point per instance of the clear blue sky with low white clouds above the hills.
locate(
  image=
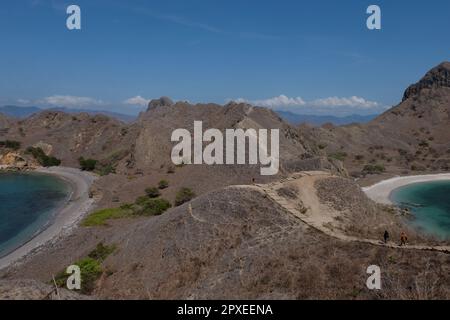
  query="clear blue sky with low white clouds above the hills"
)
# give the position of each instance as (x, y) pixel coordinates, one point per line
(304, 56)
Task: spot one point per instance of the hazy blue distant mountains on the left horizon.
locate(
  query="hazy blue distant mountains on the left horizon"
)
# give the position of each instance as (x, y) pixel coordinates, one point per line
(23, 112)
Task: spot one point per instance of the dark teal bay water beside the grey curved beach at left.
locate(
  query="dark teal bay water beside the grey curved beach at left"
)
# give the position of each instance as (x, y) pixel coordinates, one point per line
(27, 204)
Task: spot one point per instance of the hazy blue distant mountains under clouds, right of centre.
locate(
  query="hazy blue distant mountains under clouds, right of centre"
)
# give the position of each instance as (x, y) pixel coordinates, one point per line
(317, 120)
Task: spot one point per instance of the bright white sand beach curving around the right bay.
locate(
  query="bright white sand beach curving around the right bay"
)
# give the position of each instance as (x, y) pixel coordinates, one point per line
(381, 191)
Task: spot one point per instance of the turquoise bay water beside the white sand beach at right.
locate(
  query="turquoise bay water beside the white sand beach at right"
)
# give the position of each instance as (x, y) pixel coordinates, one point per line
(429, 203)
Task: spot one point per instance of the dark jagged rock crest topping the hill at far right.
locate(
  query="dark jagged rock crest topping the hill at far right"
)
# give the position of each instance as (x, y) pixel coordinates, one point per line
(435, 78)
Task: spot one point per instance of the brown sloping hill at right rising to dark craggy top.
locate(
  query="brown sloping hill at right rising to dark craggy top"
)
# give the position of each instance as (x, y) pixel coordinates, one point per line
(411, 137)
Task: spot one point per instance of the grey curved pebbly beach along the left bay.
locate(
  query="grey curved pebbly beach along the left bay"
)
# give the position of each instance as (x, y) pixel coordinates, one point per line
(66, 219)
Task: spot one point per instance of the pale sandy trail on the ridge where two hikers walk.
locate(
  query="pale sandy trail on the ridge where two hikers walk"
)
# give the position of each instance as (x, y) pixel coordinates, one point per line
(317, 215)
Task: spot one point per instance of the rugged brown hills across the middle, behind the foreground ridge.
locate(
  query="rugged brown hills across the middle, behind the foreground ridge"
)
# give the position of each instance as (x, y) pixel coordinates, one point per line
(139, 153)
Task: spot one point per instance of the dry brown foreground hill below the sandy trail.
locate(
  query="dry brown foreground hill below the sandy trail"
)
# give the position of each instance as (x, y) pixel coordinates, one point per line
(242, 242)
